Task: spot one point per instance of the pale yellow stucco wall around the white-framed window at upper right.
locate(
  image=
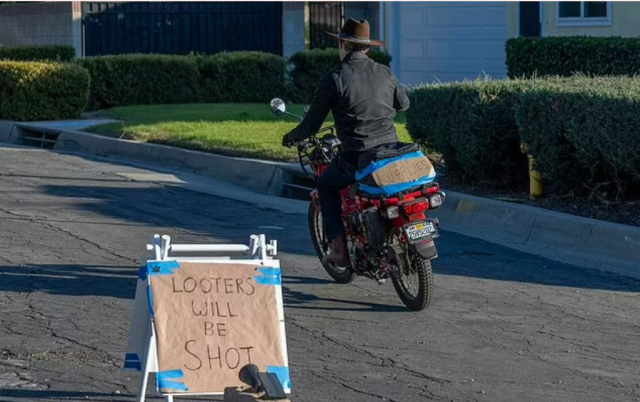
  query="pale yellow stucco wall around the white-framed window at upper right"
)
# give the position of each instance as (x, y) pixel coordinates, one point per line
(625, 18)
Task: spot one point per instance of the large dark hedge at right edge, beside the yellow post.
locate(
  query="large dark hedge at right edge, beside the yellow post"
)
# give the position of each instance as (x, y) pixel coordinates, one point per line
(584, 134)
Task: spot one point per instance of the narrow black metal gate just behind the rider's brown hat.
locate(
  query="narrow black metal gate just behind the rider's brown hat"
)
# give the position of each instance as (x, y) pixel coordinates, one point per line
(324, 16)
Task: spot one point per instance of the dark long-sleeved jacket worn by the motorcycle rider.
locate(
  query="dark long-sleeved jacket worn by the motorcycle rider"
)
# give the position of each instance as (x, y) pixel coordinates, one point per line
(364, 97)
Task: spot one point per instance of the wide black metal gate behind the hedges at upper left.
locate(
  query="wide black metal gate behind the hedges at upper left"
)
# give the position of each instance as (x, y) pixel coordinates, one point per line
(181, 27)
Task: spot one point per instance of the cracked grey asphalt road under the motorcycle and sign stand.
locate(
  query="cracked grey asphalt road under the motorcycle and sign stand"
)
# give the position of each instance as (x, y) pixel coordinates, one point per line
(503, 325)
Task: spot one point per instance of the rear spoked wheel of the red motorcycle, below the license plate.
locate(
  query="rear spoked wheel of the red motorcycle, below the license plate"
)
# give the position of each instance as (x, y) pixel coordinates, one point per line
(415, 282)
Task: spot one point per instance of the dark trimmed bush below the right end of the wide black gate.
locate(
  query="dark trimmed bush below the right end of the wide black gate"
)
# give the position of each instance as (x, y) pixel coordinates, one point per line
(242, 77)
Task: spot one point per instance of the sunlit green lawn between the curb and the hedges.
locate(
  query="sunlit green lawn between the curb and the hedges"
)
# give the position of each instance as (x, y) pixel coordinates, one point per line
(249, 130)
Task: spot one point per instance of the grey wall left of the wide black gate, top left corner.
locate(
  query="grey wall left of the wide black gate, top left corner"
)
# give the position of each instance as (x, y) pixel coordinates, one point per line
(54, 23)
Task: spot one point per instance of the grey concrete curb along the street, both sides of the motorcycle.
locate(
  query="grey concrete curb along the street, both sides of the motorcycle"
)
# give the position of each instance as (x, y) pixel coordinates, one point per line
(562, 237)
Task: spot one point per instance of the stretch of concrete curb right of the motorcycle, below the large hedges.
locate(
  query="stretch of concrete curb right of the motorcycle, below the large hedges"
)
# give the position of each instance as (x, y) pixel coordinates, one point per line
(562, 237)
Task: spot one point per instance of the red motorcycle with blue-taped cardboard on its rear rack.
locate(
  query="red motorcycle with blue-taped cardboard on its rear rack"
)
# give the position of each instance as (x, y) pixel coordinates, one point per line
(388, 232)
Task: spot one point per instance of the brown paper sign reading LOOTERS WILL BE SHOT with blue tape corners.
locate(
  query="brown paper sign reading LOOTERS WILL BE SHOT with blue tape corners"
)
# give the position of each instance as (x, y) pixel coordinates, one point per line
(211, 319)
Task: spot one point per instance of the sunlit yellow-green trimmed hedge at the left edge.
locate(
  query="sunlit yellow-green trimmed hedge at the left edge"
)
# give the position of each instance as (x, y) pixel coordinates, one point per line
(42, 91)
